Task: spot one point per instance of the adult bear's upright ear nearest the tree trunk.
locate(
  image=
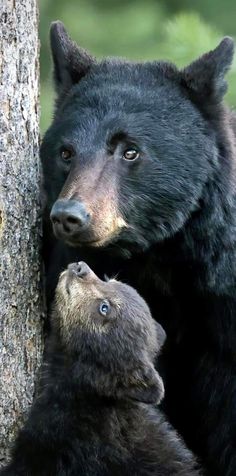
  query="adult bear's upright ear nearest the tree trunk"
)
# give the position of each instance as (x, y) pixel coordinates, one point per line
(71, 62)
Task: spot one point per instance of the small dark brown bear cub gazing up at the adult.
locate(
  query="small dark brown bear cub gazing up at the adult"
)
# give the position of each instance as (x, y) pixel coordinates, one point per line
(95, 414)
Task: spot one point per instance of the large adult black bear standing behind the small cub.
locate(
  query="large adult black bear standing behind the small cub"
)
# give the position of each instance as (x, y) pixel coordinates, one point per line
(139, 168)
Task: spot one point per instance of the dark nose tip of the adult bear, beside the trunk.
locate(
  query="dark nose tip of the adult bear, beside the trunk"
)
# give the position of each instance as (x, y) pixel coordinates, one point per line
(69, 217)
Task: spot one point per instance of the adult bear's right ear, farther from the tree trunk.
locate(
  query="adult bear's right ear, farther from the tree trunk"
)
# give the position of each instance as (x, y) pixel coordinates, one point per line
(205, 77)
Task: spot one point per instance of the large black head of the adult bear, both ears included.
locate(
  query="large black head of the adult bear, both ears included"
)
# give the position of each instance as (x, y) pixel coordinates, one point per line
(132, 145)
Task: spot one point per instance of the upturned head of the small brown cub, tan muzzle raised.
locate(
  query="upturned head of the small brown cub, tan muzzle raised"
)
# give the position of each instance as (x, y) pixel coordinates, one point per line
(106, 330)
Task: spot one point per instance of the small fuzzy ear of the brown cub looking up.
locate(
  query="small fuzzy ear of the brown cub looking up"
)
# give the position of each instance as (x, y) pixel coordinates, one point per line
(145, 386)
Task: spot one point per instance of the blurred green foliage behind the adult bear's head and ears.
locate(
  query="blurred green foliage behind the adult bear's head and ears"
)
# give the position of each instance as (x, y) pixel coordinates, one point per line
(177, 30)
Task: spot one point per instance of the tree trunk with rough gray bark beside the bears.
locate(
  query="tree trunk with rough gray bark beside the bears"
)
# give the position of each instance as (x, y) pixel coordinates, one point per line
(21, 302)
